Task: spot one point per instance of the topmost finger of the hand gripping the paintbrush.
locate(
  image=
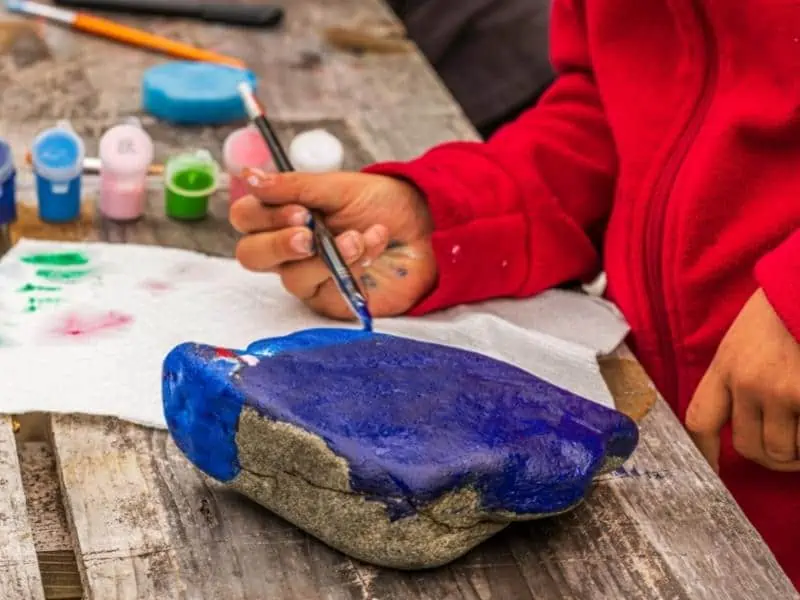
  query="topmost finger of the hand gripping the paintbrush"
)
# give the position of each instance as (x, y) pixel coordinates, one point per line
(327, 192)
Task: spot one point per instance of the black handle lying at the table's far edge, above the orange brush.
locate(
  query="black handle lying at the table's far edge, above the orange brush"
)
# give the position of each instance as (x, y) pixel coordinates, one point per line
(251, 15)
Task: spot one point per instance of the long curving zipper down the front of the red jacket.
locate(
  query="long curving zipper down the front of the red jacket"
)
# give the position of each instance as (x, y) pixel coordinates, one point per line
(662, 191)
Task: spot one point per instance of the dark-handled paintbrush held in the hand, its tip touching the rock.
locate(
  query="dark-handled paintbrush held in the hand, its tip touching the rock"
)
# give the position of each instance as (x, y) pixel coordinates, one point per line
(325, 243)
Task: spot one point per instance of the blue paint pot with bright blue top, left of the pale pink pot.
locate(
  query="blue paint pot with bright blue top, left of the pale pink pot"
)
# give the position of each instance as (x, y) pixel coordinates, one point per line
(57, 157)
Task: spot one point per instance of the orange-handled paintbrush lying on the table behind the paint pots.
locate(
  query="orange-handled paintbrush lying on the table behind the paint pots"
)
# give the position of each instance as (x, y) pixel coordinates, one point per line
(82, 21)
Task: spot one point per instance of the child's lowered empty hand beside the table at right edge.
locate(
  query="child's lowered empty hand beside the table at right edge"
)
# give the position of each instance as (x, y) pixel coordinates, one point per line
(754, 381)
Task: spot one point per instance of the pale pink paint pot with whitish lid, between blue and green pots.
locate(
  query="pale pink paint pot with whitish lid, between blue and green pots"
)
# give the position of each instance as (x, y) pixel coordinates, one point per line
(126, 152)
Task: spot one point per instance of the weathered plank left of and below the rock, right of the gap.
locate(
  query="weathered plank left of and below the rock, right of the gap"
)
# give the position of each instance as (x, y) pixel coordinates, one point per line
(149, 526)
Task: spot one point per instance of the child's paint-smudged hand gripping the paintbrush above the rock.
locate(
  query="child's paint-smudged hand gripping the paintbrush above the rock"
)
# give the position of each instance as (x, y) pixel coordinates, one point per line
(383, 228)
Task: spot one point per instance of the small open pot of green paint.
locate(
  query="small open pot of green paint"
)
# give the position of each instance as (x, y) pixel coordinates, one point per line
(189, 180)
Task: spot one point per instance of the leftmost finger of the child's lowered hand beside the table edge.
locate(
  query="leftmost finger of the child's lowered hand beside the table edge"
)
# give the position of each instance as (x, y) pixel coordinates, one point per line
(708, 412)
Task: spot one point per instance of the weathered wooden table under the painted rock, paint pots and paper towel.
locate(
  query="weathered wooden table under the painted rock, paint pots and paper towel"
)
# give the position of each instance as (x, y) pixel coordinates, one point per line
(120, 506)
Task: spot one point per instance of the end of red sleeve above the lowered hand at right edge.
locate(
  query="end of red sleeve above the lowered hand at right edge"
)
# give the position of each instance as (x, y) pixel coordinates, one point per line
(778, 274)
